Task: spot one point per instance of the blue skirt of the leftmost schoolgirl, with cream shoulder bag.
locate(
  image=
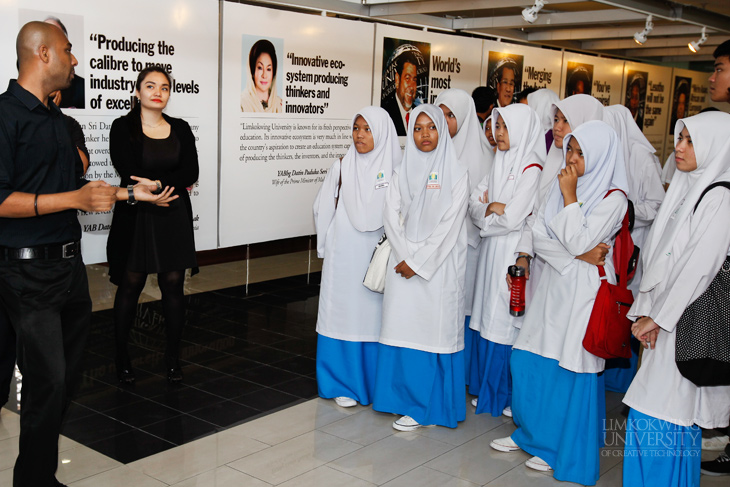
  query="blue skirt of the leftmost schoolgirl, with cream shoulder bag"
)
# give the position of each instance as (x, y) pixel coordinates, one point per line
(346, 369)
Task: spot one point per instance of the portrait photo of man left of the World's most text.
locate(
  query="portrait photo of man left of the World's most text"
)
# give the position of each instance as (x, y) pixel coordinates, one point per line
(405, 80)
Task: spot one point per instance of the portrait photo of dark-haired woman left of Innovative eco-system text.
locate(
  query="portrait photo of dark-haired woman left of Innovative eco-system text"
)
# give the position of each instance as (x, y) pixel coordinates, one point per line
(260, 91)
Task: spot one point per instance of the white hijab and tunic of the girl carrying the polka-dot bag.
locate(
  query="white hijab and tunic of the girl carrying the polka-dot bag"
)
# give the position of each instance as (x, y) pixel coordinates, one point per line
(683, 253)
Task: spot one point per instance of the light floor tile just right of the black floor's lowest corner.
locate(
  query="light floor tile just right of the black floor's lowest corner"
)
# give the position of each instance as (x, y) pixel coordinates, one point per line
(181, 462)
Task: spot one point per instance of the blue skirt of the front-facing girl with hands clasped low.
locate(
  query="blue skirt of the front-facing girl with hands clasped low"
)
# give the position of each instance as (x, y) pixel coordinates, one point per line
(428, 387)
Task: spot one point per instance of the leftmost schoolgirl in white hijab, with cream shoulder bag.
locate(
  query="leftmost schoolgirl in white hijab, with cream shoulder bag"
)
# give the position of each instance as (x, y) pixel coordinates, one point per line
(349, 223)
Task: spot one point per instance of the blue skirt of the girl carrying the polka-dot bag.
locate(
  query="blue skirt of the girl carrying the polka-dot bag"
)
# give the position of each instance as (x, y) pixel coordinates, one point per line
(662, 454)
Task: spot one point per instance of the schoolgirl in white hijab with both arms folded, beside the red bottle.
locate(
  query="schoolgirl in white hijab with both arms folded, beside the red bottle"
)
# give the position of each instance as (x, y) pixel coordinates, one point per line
(499, 206)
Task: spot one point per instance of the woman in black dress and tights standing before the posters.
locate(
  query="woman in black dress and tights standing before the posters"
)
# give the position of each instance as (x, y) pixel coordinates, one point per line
(148, 146)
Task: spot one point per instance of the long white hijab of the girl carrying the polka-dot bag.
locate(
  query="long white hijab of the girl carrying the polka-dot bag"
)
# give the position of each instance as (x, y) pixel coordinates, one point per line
(709, 132)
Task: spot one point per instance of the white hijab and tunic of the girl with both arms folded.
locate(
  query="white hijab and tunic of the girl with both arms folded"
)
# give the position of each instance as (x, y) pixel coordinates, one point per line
(513, 180)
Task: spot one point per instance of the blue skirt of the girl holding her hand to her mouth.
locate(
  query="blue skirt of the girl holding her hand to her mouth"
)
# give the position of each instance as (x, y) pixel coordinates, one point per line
(558, 416)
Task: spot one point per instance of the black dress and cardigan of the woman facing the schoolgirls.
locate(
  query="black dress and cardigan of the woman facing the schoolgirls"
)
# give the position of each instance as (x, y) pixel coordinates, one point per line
(144, 237)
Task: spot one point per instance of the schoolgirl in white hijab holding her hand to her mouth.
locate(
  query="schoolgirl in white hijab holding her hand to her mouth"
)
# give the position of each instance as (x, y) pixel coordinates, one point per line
(557, 401)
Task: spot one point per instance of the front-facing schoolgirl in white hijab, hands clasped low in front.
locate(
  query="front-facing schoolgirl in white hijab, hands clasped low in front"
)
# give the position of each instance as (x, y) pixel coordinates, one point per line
(420, 370)
